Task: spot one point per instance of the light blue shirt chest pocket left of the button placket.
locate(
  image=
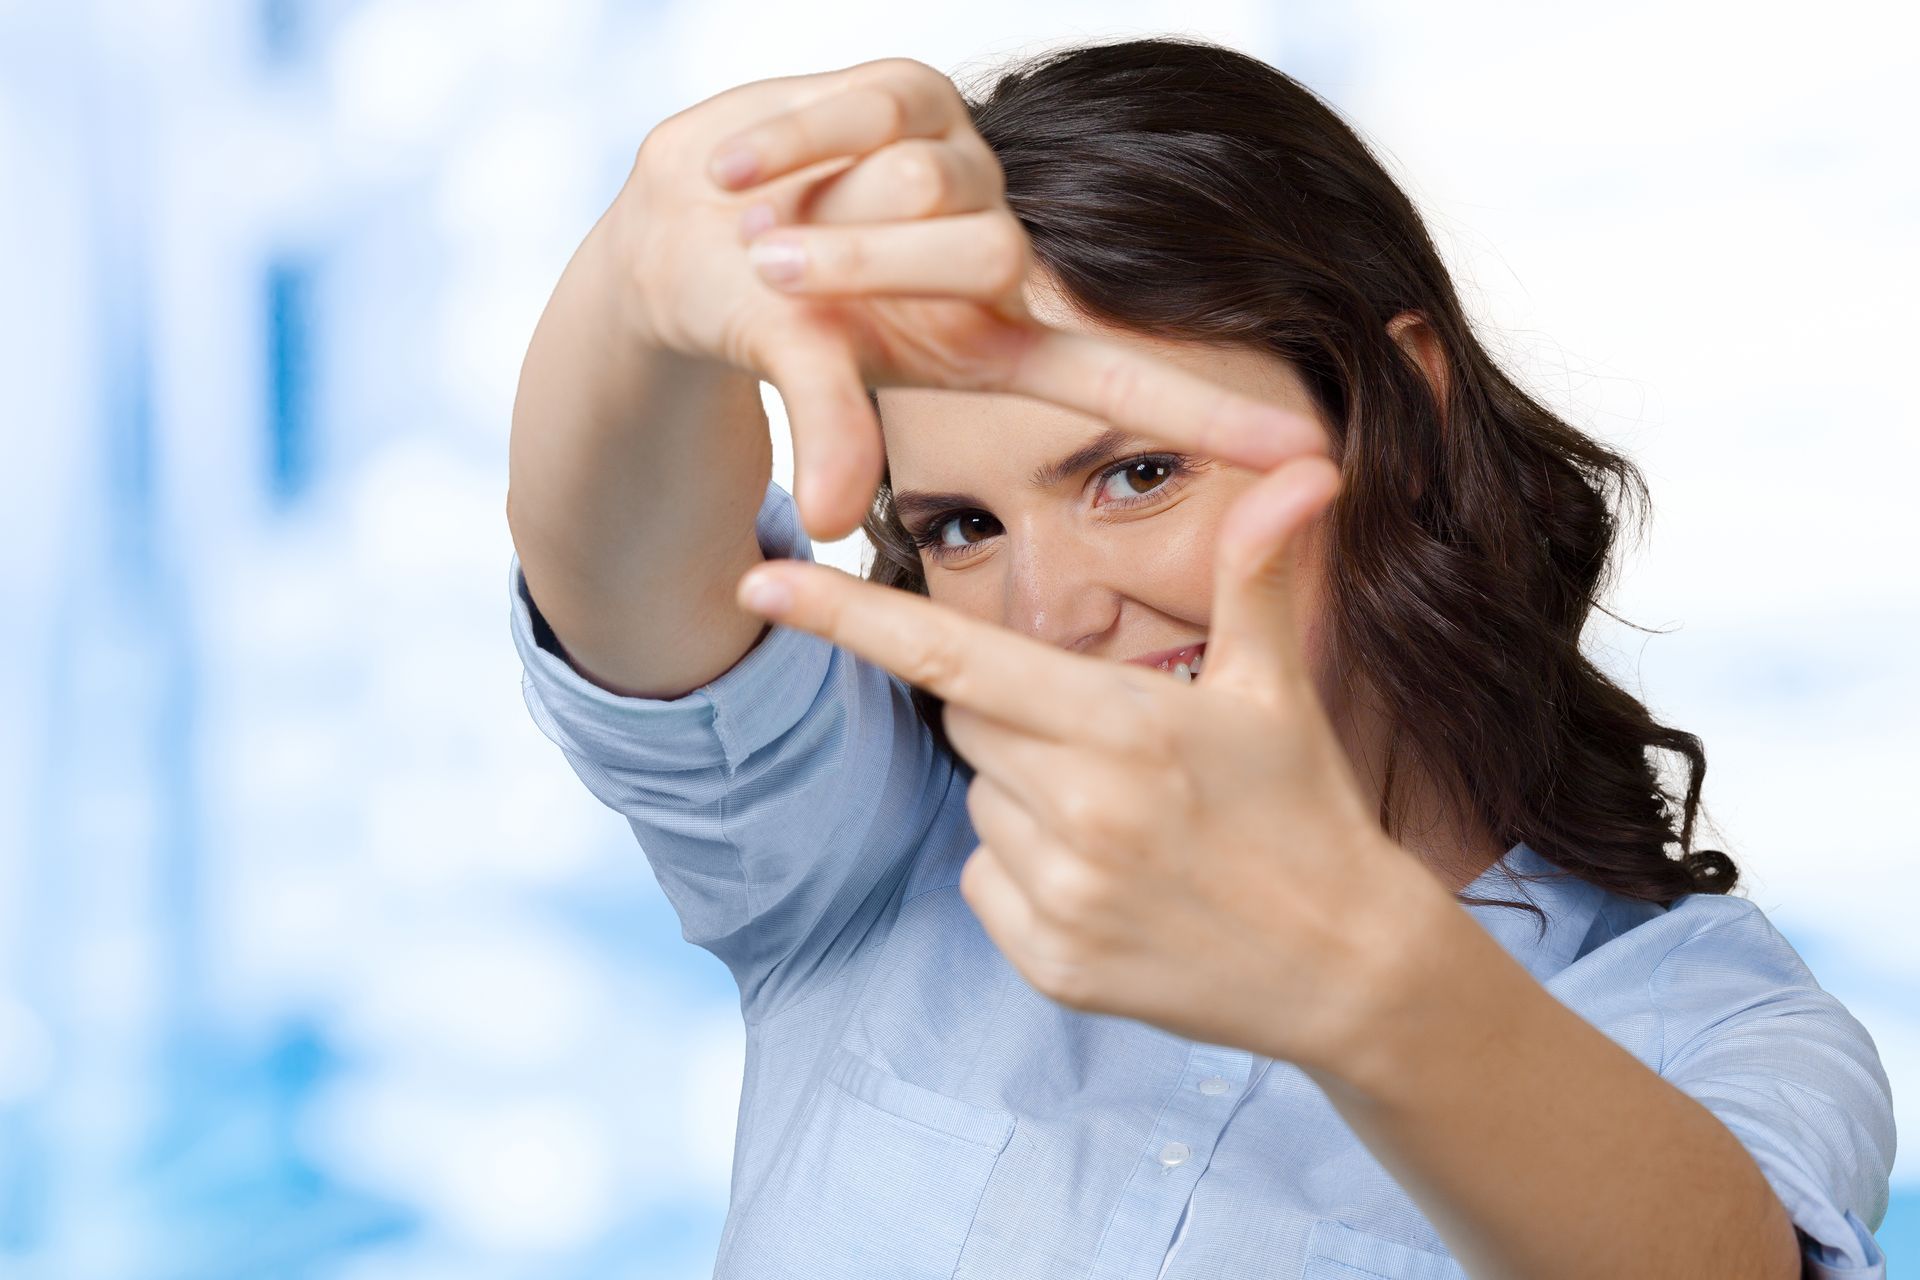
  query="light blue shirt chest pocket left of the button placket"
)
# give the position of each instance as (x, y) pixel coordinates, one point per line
(882, 1179)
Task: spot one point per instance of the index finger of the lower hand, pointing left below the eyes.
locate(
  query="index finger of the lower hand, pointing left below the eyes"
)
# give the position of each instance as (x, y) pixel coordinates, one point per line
(965, 661)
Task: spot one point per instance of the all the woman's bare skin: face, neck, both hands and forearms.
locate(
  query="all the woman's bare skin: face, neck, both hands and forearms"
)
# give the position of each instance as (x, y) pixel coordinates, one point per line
(1088, 878)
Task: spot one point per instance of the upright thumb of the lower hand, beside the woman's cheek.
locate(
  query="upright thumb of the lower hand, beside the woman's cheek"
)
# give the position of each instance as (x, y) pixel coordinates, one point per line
(1255, 638)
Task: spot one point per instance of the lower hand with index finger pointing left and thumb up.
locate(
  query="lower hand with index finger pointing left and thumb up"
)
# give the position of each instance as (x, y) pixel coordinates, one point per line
(1193, 857)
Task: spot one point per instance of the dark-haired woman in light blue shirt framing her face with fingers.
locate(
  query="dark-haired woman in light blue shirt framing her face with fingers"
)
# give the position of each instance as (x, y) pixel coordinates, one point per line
(1381, 949)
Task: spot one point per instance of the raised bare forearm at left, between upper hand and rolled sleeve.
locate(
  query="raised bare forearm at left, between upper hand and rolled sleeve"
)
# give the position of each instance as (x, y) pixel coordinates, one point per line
(635, 479)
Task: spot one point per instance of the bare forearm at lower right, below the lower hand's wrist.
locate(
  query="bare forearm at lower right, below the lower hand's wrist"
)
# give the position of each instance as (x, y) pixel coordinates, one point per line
(1535, 1145)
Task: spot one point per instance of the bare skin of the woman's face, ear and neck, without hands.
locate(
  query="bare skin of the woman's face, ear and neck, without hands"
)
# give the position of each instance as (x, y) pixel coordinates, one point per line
(1134, 577)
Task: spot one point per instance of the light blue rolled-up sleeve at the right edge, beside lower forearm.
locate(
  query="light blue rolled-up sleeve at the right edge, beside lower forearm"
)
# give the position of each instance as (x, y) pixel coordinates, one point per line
(1790, 1072)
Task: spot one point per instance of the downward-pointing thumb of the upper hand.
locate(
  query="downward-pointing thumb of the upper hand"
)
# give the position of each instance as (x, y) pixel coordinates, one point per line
(838, 452)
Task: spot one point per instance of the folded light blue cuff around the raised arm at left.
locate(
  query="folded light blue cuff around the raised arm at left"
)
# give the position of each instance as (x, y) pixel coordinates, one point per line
(723, 723)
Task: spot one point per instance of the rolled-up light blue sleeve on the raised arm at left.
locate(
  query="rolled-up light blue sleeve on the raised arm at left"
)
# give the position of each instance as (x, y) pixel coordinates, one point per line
(779, 805)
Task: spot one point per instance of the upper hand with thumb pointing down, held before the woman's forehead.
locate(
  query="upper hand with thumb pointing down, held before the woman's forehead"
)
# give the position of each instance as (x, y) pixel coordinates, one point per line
(915, 275)
